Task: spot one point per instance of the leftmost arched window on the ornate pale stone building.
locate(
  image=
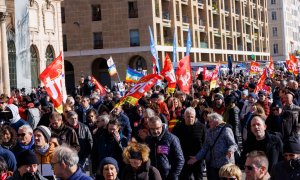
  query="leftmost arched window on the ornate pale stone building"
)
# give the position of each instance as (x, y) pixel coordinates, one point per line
(12, 63)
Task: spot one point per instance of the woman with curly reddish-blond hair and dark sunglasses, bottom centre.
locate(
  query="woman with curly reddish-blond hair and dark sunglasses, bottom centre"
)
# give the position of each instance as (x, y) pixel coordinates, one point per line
(136, 158)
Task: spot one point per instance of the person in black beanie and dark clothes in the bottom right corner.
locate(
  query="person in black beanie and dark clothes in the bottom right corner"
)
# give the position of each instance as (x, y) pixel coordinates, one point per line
(289, 168)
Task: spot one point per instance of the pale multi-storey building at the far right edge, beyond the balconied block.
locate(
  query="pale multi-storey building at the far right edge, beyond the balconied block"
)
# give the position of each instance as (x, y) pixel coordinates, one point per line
(284, 28)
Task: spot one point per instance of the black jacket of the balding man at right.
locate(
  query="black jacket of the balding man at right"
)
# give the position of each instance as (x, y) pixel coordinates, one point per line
(272, 146)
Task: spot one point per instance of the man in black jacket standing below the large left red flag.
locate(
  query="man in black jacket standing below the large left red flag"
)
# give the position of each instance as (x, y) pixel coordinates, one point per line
(84, 136)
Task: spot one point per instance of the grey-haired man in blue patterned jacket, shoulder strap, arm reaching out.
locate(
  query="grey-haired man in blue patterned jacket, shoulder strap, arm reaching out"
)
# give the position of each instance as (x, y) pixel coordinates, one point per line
(218, 148)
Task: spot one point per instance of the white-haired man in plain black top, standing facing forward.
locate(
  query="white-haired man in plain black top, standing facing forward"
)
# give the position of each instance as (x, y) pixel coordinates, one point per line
(191, 134)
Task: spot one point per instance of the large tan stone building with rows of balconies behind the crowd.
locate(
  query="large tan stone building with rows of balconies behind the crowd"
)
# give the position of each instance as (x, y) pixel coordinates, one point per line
(95, 30)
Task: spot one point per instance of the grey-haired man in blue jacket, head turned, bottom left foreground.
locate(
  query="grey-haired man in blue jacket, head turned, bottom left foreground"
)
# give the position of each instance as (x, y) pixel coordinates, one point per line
(64, 164)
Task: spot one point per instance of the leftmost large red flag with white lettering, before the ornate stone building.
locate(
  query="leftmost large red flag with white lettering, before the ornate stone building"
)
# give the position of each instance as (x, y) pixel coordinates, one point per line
(52, 80)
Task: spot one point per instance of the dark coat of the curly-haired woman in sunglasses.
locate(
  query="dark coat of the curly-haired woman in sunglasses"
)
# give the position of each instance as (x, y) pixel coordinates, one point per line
(146, 172)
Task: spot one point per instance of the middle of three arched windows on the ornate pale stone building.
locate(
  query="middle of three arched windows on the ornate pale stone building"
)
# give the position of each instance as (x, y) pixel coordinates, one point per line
(34, 67)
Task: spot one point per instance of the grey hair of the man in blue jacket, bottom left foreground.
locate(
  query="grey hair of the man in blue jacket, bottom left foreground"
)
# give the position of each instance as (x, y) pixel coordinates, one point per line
(67, 155)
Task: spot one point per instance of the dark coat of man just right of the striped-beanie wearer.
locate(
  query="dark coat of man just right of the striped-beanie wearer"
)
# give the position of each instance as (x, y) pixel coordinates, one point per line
(67, 135)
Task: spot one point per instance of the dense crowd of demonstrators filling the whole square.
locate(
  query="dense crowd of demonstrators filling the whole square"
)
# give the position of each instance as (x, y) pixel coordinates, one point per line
(220, 132)
